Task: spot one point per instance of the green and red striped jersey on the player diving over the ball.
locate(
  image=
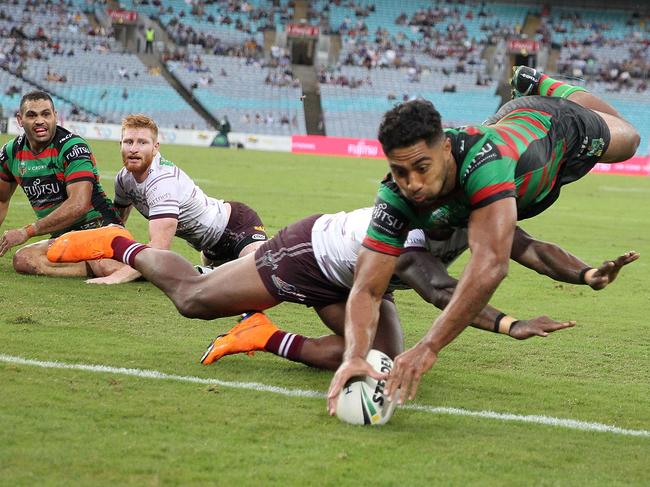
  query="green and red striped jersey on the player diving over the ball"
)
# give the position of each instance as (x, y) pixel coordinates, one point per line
(519, 157)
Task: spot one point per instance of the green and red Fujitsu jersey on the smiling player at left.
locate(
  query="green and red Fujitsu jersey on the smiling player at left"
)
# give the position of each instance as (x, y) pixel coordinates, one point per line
(45, 176)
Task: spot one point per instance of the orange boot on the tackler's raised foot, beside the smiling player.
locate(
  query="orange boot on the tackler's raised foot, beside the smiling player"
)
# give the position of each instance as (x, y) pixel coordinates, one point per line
(81, 245)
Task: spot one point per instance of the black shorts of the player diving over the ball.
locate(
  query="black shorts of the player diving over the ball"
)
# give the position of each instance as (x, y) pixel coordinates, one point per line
(585, 133)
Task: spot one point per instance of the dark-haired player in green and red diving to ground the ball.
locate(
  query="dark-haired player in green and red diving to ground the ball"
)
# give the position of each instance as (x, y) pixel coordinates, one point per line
(485, 177)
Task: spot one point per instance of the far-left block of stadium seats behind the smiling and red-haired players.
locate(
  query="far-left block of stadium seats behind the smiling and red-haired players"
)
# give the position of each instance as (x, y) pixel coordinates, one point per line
(85, 68)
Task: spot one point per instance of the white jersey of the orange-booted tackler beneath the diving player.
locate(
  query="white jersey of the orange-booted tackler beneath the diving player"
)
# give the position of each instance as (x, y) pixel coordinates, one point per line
(336, 239)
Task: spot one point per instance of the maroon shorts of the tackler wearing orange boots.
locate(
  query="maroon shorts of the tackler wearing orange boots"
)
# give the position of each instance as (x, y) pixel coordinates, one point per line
(289, 270)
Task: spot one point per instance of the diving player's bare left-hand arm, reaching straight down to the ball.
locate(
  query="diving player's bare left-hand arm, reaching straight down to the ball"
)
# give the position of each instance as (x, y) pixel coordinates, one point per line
(372, 275)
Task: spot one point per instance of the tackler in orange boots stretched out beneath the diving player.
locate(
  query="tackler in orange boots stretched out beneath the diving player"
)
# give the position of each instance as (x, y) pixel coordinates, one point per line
(312, 262)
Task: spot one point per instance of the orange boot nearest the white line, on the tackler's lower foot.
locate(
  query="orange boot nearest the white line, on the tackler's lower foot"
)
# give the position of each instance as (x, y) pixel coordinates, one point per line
(250, 334)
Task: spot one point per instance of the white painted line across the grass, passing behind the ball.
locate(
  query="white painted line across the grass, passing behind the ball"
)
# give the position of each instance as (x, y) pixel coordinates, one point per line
(254, 386)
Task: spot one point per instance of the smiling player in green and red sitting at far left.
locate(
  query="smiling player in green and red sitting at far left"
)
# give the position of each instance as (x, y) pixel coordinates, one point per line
(57, 172)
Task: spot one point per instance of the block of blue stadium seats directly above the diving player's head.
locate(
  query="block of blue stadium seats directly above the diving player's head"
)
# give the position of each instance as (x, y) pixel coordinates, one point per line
(441, 62)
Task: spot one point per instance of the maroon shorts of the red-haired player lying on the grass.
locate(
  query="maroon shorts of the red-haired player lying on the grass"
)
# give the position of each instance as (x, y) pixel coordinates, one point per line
(244, 227)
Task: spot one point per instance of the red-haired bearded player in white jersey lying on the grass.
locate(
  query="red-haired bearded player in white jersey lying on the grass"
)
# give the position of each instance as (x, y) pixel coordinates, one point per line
(174, 205)
